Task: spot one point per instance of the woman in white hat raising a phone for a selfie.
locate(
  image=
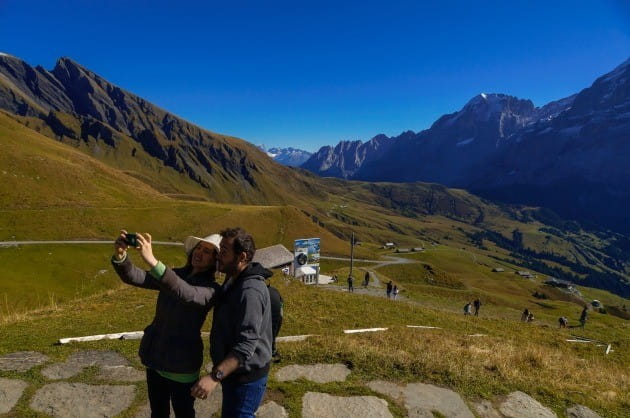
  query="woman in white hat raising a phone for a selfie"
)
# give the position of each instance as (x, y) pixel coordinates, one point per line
(171, 348)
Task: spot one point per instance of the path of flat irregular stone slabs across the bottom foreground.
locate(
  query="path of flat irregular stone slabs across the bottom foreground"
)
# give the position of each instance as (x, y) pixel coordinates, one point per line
(115, 389)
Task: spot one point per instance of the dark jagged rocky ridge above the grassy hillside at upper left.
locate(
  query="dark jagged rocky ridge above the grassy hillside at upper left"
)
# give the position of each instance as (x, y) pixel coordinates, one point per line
(77, 104)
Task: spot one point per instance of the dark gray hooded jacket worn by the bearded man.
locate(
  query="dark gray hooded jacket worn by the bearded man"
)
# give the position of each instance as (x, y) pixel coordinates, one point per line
(241, 324)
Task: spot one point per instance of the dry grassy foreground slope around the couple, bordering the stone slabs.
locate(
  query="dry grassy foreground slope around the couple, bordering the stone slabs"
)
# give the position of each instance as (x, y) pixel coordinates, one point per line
(530, 357)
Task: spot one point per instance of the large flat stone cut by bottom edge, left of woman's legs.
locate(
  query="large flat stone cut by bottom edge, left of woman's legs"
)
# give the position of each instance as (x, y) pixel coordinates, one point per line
(79, 400)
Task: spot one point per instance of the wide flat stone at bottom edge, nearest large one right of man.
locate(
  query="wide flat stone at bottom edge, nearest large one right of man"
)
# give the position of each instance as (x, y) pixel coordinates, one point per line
(324, 405)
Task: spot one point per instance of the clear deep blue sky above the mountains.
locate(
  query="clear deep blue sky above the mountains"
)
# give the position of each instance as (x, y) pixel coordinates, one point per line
(312, 73)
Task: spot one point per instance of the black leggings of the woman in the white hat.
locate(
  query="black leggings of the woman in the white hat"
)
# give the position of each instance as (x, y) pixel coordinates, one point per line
(163, 390)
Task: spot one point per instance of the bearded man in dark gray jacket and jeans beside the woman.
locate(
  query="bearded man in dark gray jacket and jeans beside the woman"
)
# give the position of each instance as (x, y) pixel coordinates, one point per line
(241, 336)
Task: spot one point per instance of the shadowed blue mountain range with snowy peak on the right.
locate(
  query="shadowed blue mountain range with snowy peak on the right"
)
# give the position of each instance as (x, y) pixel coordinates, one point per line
(569, 155)
